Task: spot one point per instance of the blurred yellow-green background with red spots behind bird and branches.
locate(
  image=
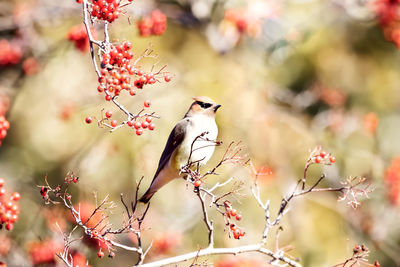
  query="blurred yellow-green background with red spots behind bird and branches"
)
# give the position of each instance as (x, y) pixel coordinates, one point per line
(289, 75)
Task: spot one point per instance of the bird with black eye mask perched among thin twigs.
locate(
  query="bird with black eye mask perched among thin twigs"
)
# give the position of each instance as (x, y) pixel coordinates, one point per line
(198, 120)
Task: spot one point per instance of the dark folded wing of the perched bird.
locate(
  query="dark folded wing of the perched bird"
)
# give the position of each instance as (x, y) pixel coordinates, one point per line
(174, 140)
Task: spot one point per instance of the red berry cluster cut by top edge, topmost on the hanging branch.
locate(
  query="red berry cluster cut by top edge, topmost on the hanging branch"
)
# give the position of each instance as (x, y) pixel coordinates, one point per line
(108, 10)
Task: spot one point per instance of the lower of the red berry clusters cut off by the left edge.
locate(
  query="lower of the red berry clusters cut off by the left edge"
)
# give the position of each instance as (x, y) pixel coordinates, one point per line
(9, 208)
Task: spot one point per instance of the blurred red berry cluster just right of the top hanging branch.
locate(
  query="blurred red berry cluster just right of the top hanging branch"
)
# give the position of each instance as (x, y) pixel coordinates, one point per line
(155, 24)
